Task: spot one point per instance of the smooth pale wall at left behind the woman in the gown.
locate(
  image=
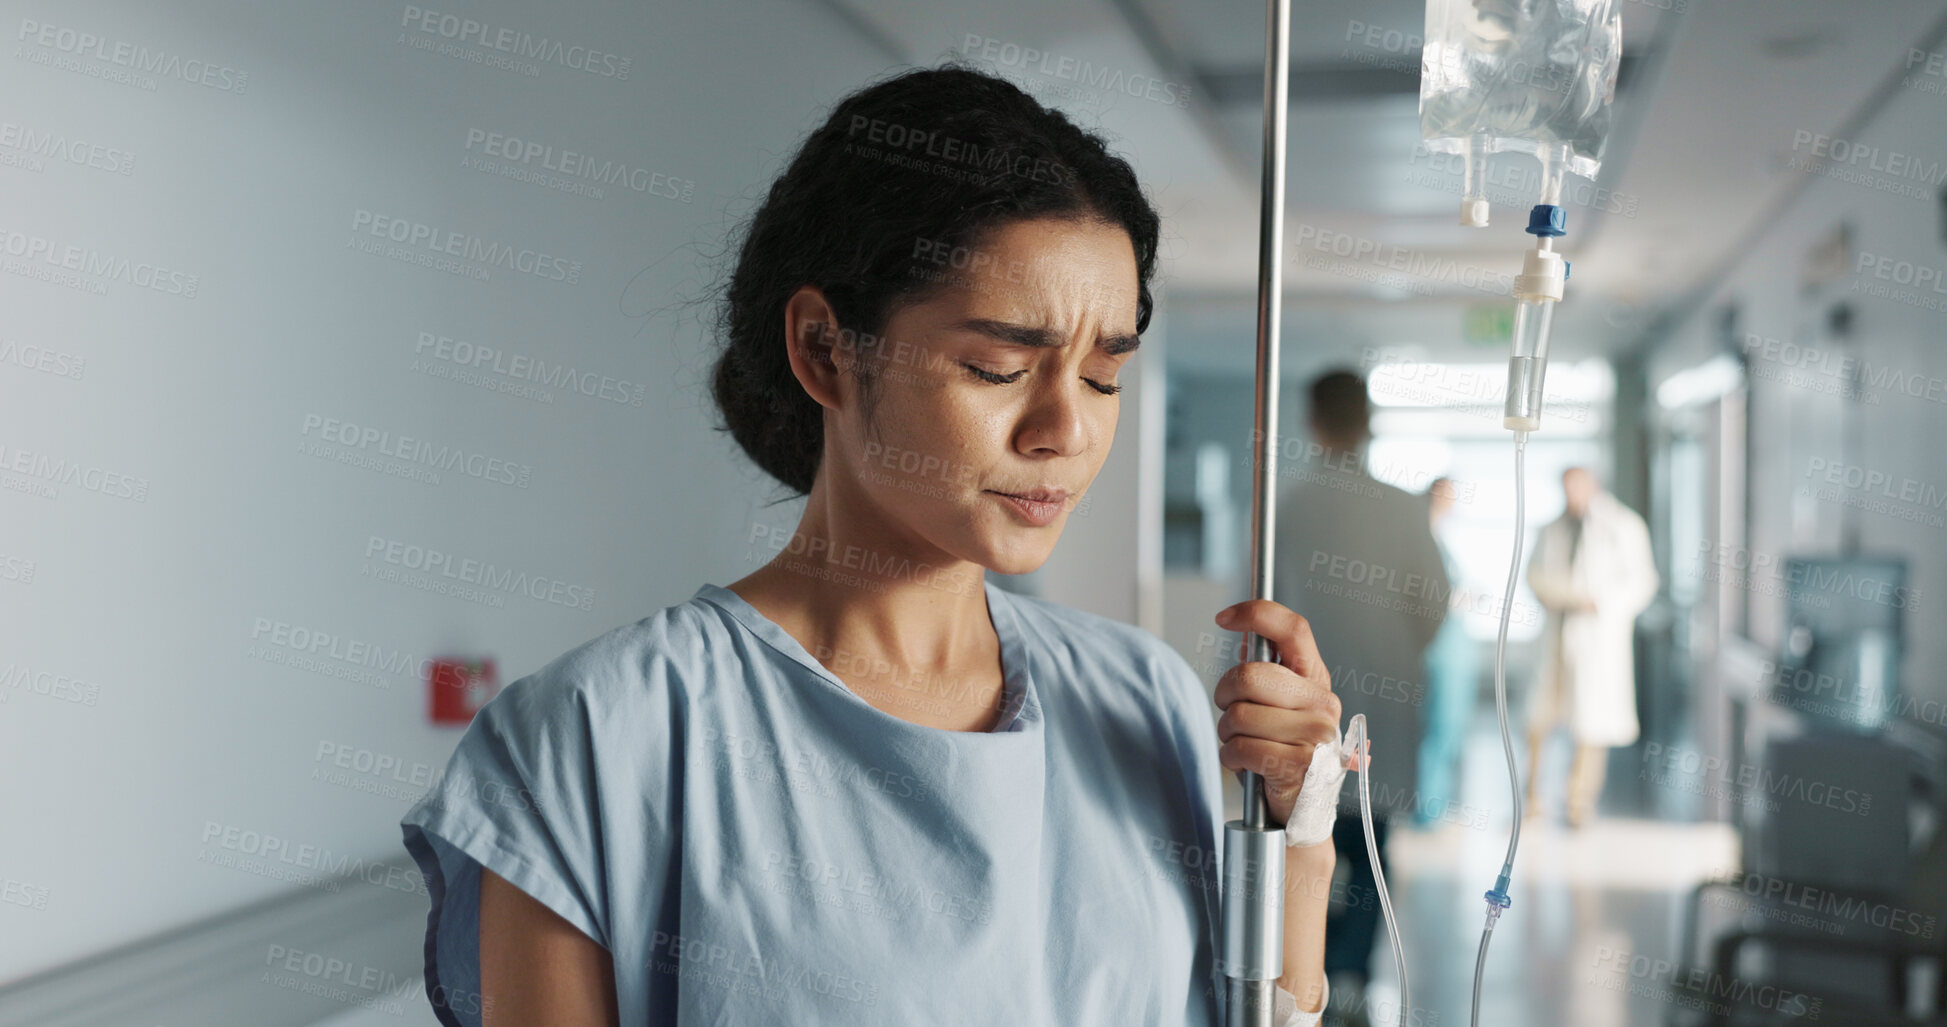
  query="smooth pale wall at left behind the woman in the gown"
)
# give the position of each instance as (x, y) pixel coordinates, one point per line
(194, 517)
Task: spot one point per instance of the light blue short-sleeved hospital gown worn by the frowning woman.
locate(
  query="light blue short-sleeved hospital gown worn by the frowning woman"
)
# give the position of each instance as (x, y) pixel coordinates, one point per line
(756, 845)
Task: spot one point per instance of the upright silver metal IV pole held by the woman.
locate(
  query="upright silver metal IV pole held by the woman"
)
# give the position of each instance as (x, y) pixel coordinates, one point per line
(1255, 853)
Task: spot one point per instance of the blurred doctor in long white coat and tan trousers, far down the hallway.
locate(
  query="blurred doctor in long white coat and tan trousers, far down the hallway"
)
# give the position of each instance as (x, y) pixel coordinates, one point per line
(1594, 574)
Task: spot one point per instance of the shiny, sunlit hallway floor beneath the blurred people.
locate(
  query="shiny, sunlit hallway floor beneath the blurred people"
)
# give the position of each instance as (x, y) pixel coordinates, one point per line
(1594, 909)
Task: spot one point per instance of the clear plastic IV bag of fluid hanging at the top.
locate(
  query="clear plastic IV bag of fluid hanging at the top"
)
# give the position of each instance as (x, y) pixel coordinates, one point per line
(1520, 75)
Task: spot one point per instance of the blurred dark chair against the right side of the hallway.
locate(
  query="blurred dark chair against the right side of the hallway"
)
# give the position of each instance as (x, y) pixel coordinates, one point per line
(1831, 901)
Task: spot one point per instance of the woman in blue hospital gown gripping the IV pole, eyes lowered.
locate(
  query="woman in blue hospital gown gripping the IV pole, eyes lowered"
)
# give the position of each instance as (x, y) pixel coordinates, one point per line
(863, 784)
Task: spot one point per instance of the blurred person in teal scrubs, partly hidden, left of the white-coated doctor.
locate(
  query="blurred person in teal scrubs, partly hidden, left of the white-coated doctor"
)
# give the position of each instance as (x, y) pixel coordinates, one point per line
(1451, 677)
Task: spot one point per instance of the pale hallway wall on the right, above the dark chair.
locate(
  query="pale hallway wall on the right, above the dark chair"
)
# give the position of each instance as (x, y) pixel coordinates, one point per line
(1892, 200)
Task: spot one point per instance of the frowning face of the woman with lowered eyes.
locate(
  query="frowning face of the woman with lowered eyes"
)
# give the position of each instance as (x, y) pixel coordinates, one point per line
(998, 385)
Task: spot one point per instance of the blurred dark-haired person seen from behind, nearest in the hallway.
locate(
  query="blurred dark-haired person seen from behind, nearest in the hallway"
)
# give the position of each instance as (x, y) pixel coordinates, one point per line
(1358, 560)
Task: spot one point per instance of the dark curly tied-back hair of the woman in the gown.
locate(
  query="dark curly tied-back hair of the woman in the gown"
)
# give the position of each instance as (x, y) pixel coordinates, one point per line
(936, 157)
